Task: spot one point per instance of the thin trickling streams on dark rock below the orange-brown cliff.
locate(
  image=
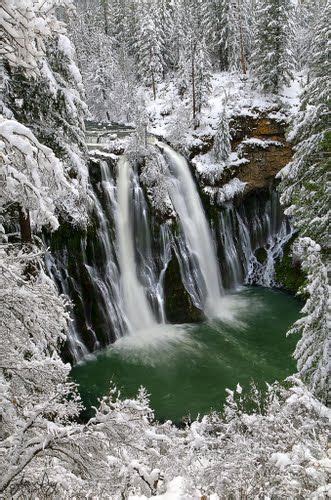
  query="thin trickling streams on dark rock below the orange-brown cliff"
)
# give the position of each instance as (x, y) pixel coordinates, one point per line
(244, 232)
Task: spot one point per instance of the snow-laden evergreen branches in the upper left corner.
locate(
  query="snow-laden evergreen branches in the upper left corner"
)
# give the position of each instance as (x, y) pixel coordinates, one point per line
(43, 91)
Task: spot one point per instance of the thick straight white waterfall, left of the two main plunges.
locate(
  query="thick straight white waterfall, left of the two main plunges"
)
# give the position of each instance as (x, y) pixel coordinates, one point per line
(137, 308)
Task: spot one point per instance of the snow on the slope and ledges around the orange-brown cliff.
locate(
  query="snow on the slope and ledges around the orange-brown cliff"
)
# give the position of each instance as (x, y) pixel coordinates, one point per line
(169, 118)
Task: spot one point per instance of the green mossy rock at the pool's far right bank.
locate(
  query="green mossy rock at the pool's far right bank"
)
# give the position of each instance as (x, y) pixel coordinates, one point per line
(289, 273)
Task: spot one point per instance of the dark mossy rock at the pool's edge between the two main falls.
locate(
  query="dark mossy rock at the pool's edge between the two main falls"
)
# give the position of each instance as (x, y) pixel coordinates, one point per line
(179, 307)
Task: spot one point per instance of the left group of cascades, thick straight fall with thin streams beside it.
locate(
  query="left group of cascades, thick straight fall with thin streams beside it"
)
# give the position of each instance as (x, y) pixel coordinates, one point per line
(86, 266)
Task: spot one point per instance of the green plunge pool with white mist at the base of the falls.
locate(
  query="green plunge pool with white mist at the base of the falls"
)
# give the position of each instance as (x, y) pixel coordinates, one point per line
(186, 369)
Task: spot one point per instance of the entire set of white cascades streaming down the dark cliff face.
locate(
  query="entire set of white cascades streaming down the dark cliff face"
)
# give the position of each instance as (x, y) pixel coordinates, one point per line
(114, 274)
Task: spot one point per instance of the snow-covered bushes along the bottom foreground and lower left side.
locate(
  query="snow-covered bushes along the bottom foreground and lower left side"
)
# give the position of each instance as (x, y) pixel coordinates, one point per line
(276, 450)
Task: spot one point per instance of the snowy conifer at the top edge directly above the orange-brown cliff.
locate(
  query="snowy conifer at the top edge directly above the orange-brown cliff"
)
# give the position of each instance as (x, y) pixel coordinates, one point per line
(272, 60)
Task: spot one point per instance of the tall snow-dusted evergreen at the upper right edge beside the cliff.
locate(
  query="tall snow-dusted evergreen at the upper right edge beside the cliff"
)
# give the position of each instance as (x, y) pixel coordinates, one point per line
(304, 179)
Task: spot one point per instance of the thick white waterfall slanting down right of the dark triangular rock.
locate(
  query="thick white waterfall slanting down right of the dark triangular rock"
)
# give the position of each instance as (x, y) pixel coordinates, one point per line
(196, 230)
